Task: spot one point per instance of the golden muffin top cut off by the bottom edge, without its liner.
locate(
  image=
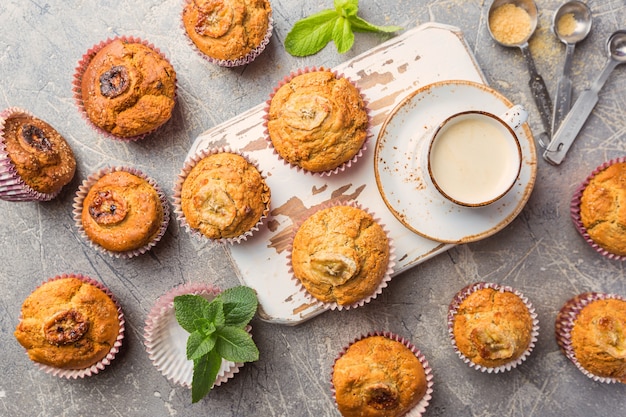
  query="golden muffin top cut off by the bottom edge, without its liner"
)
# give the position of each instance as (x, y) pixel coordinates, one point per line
(378, 377)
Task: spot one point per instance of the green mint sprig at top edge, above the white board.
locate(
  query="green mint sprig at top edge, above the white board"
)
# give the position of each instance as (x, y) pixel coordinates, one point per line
(311, 34)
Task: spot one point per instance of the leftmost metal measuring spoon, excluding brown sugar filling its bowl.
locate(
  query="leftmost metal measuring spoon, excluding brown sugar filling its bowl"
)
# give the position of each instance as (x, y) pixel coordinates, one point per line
(536, 83)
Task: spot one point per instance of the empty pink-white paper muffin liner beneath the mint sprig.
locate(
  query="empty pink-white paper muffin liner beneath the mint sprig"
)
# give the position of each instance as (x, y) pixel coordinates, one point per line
(166, 341)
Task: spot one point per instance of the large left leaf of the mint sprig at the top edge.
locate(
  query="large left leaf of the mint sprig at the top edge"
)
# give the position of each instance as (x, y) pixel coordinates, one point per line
(310, 35)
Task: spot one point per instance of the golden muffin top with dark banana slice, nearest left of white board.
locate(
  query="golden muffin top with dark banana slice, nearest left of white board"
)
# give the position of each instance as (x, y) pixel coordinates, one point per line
(122, 212)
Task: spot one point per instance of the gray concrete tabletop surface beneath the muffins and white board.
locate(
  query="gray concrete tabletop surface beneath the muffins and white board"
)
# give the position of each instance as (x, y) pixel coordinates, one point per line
(540, 253)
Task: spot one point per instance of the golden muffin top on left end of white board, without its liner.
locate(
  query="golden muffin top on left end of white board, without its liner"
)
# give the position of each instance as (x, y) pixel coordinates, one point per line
(224, 196)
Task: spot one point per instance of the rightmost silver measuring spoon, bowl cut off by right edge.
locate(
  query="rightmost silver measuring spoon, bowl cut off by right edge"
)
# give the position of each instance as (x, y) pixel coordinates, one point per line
(575, 119)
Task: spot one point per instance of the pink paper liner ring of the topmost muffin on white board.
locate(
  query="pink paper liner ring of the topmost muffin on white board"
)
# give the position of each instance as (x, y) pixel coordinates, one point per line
(341, 168)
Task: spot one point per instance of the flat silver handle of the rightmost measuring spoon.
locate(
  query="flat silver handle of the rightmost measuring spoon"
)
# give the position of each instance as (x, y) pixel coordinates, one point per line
(576, 118)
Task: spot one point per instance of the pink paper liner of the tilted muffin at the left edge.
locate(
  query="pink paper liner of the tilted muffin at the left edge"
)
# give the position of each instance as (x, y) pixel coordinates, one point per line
(12, 186)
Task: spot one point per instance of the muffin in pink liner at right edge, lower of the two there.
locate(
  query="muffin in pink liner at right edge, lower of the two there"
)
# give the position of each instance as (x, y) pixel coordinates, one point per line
(591, 332)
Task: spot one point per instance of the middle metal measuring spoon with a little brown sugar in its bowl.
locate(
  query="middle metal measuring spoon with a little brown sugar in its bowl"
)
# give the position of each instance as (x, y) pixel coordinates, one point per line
(578, 14)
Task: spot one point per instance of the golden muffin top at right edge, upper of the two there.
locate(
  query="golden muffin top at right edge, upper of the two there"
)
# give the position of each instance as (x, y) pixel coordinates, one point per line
(603, 208)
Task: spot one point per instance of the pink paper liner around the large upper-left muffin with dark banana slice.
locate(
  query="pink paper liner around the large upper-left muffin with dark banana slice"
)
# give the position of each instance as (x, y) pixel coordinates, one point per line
(77, 85)
